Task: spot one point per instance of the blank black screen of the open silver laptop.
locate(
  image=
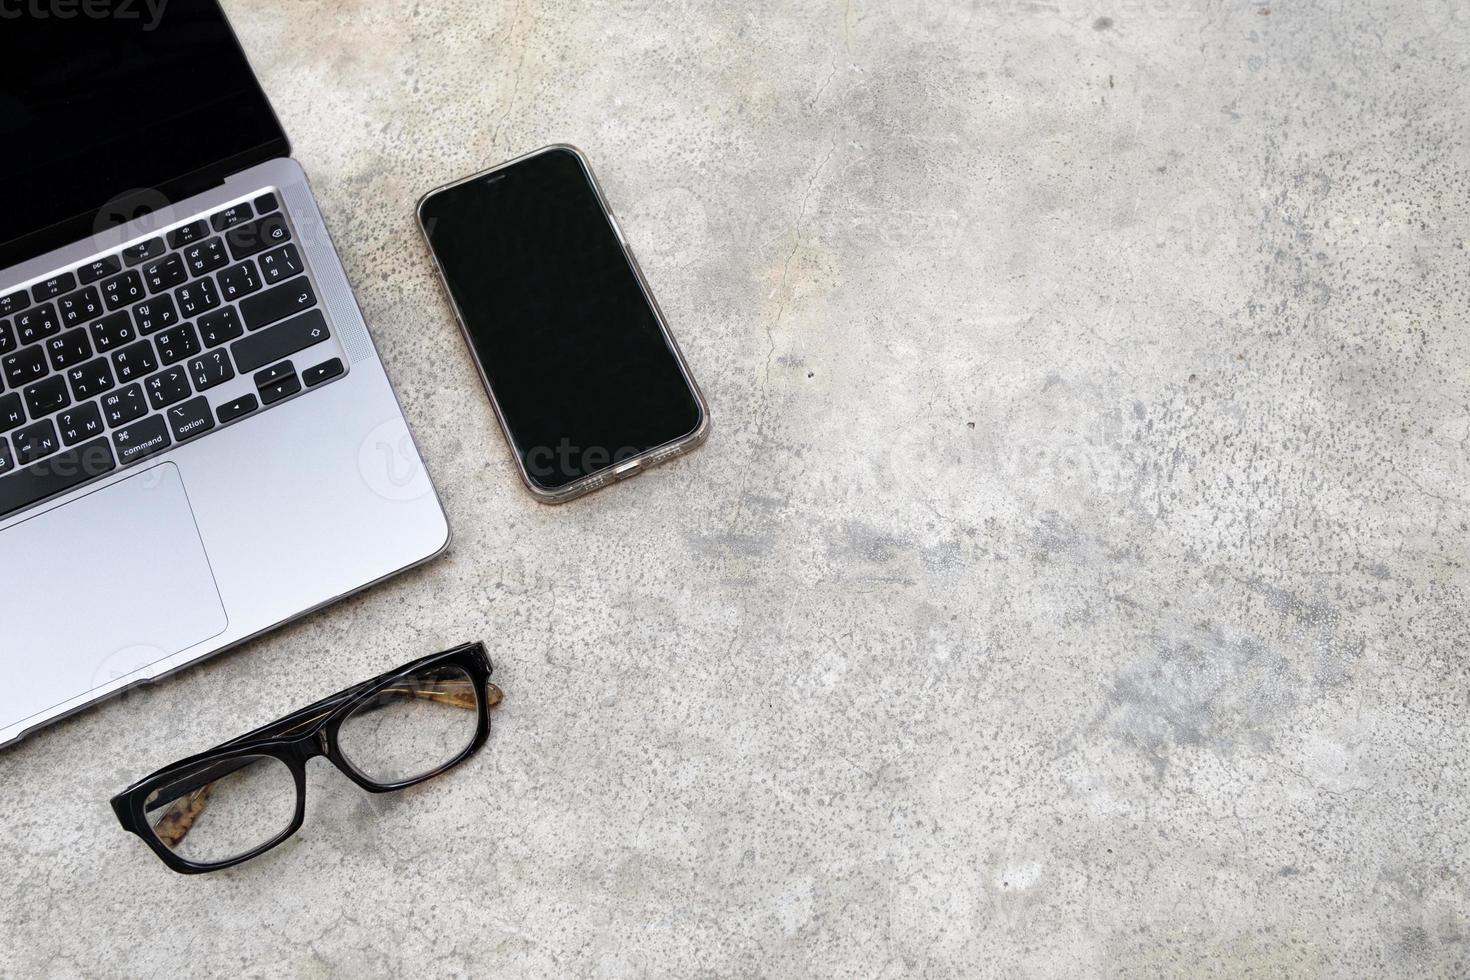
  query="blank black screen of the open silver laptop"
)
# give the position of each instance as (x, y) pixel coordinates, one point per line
(114, 107)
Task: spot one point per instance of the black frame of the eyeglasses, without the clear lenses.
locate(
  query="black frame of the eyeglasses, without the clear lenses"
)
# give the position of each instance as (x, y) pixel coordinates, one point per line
(304, 735)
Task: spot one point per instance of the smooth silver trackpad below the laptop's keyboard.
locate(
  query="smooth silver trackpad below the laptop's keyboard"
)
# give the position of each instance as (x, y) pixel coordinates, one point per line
(101, 588)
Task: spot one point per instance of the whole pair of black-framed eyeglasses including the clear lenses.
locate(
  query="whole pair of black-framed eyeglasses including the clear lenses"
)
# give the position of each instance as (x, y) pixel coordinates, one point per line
(242, 799)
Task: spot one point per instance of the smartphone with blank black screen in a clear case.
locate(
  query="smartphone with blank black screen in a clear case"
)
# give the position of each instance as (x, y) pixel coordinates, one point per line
(584, 375)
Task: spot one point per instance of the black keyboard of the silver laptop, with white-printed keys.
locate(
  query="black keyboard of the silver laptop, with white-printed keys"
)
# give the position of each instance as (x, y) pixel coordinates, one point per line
(162, 343)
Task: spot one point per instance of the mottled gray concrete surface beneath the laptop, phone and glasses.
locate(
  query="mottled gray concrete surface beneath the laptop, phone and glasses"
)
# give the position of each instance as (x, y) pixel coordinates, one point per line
(1075, 581)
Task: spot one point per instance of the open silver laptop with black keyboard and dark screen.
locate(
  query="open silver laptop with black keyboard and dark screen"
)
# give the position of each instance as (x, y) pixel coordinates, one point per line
(198, 439)
